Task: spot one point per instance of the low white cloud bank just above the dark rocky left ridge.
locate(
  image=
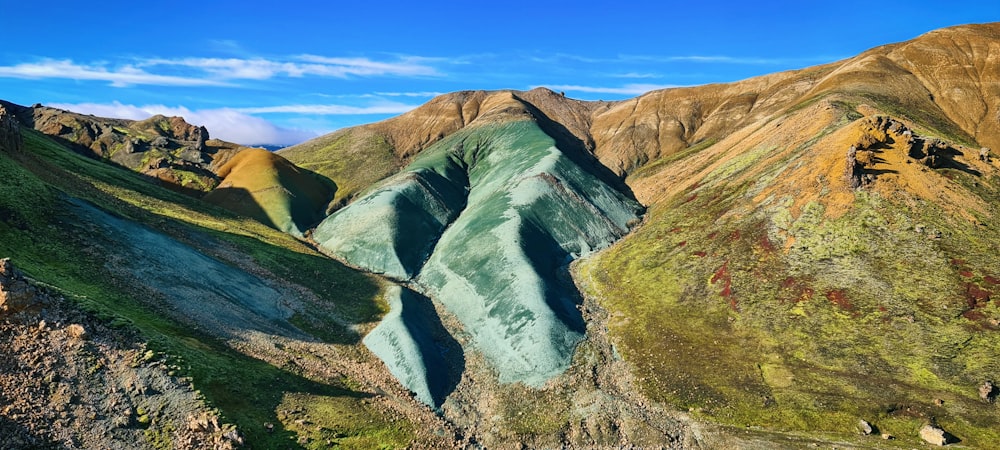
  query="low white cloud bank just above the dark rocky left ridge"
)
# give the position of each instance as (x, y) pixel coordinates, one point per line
(223, 123)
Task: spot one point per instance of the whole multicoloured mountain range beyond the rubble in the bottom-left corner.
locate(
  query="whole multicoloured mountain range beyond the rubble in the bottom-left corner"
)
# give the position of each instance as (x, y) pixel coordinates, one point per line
(803, 258)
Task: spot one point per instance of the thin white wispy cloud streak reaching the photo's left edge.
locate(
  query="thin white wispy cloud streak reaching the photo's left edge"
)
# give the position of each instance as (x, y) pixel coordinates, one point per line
(122, 76)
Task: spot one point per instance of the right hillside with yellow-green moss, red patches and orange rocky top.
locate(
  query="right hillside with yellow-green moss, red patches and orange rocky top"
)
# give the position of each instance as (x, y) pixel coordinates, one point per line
(824, 303)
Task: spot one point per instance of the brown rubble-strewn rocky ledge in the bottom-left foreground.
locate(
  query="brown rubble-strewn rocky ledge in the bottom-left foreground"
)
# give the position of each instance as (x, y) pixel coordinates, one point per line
(67, 380)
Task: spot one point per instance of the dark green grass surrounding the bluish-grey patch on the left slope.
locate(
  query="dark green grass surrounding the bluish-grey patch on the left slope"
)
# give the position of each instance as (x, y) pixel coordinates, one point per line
(39, 233)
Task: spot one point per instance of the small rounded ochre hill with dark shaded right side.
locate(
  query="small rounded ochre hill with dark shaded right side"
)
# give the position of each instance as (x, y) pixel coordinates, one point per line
(262, 185)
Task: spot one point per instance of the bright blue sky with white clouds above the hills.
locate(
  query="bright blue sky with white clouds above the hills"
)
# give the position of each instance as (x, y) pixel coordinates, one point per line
(279, 72)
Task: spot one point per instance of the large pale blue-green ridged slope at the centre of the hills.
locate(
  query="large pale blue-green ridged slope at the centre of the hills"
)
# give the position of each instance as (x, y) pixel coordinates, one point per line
(483, 221)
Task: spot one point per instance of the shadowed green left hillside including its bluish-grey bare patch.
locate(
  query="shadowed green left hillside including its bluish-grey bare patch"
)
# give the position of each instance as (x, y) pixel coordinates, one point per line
(221, 299)
